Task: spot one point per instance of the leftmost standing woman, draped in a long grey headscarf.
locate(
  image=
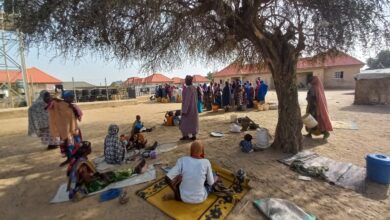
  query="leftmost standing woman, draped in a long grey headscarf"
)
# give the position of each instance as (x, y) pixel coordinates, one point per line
(38, 121)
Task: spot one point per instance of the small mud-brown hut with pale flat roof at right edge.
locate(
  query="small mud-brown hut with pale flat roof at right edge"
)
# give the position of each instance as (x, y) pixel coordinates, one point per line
(372, 87)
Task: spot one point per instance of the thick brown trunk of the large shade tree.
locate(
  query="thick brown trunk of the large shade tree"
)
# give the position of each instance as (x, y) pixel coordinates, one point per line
(288, 135)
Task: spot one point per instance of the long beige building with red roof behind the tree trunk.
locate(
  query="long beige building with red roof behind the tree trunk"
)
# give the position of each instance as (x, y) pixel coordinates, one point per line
(335, 72)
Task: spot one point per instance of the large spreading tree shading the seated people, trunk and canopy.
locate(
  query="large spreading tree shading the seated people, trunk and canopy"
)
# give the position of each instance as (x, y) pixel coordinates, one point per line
(165, 32)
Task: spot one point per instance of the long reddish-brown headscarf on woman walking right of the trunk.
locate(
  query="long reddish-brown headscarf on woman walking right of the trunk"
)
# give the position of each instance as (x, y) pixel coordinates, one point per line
(323, 119)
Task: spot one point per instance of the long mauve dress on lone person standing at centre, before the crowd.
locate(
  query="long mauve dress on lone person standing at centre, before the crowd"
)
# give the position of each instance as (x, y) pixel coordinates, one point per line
(189, 119)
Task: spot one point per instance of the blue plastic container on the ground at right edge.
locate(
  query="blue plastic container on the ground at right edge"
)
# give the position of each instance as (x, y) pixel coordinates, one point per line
(378, 168)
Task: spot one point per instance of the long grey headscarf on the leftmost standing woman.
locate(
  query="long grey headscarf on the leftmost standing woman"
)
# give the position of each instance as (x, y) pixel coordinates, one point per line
(38, 117)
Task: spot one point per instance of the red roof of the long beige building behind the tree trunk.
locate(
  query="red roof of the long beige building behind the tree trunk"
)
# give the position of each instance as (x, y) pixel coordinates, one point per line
(303, 63)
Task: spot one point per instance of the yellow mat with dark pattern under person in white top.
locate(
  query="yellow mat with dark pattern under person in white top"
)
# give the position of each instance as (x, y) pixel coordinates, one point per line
(213, 208)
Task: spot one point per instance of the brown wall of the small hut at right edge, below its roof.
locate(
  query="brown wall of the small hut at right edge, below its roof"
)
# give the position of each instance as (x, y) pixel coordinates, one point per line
(372, 91)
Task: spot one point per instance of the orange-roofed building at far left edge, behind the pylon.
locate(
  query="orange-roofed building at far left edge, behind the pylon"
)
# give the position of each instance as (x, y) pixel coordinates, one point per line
(37, 80)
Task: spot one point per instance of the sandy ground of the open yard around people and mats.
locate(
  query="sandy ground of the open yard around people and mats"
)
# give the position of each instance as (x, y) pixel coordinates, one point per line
(30, 176)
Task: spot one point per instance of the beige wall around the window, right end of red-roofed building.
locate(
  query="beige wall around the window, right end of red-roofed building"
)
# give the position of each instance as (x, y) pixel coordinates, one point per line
(347, 82)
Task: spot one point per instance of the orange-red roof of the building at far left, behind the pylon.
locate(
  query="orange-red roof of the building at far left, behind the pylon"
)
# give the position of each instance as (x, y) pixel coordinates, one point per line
(34, 75)
